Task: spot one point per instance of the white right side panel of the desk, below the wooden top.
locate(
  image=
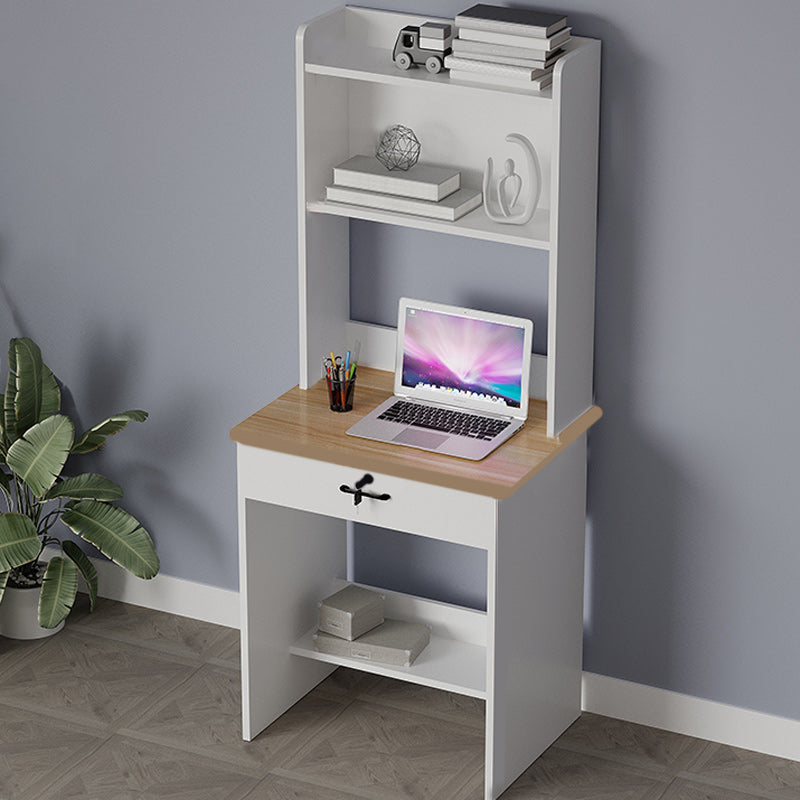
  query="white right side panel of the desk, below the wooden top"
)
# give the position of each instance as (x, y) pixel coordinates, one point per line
(535, 604)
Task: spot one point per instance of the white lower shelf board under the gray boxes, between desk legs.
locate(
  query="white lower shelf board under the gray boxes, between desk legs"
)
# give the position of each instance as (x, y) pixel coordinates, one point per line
(446, 664)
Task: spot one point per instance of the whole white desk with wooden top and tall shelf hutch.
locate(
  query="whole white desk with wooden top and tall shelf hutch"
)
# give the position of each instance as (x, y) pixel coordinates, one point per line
(525, 504)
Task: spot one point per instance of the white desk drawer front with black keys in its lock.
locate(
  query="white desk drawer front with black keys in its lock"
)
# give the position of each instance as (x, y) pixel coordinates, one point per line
(413, 507)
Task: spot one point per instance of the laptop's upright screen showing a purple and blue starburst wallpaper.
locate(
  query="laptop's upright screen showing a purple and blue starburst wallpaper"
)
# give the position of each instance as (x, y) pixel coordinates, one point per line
(464, 356)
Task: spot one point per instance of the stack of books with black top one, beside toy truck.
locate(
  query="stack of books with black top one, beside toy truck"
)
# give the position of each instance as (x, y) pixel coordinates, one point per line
(507, 46)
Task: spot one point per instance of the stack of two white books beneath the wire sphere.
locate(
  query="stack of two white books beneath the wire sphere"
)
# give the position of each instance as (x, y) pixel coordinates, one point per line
(426, 190)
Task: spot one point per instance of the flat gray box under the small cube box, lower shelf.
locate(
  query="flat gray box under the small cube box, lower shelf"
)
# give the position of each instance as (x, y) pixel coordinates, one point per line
(395, 642)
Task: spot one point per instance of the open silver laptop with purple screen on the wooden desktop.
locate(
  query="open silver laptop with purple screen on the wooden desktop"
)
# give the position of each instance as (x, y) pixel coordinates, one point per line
(460, 381)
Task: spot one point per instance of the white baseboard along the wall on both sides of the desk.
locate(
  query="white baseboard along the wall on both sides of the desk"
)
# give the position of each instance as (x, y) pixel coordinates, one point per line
(611, 697)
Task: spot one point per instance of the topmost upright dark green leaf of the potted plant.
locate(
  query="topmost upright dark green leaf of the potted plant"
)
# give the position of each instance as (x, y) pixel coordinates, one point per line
(36, 395)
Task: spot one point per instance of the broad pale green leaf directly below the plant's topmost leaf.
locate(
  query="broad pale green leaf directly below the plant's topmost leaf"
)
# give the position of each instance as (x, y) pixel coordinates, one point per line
(39, 457)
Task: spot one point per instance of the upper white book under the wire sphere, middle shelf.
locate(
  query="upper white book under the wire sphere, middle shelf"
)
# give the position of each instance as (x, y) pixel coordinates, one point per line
(422, 181)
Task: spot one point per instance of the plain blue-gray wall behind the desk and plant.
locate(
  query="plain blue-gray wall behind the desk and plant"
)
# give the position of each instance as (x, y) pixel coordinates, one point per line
(147, 242)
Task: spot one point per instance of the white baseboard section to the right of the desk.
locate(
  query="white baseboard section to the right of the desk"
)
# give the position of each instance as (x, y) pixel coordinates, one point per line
(693, 716)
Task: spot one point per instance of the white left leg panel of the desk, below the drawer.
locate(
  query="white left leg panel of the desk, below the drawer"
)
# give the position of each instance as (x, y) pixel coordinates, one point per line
(288, 561)
